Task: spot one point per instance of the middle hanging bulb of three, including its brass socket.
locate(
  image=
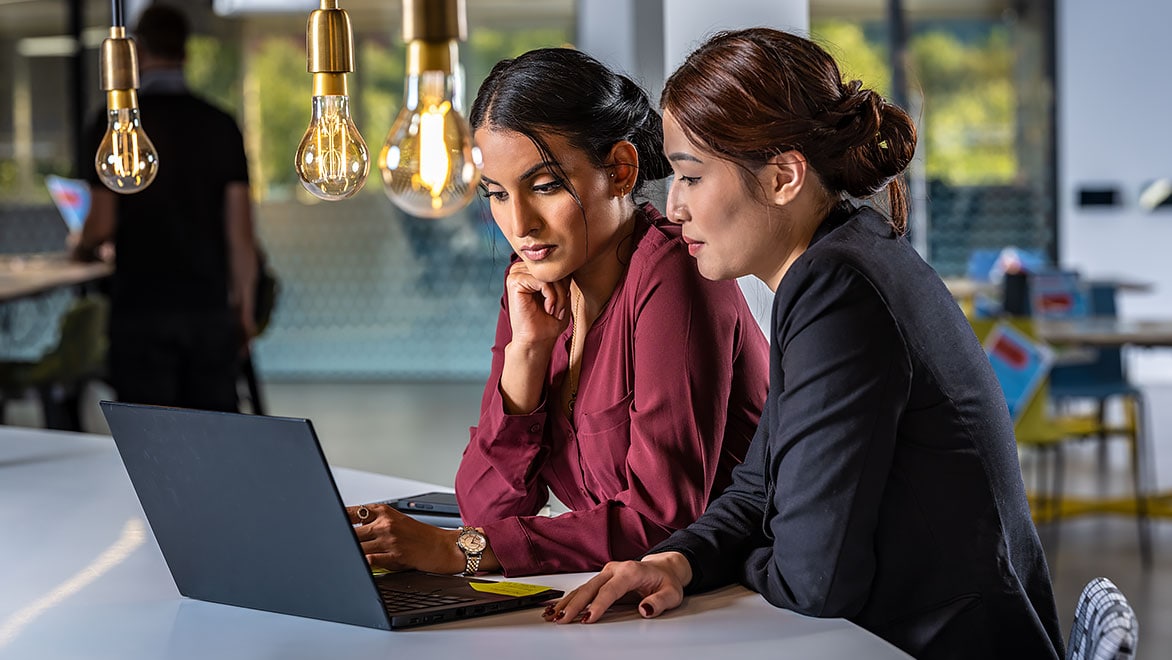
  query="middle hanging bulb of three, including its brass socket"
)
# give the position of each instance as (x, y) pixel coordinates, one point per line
(332, 160)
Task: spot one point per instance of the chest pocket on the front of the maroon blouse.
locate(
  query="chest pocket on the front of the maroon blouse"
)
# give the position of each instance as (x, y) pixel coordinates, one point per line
(604, 440)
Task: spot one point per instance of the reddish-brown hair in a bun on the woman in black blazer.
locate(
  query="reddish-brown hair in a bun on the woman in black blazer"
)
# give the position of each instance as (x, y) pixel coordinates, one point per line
(748, 96)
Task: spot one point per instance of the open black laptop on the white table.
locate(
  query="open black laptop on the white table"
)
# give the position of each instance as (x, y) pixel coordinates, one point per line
(247, 514)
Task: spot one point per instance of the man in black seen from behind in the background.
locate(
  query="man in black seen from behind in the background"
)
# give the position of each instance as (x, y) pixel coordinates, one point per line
(182, 296)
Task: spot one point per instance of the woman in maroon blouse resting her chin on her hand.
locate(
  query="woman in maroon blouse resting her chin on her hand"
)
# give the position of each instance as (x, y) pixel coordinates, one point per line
(622, 380)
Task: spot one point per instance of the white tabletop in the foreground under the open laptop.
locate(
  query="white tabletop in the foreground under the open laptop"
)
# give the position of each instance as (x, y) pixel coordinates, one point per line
(81, 577)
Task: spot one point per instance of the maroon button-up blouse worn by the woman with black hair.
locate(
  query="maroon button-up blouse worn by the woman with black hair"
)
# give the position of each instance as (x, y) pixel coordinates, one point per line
(673, 379)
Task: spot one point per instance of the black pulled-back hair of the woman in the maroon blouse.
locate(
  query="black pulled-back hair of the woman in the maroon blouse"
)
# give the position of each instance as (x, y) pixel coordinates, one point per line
(568, 93)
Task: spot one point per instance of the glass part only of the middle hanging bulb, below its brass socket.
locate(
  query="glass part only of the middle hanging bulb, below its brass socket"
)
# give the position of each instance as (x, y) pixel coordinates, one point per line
(332, 160)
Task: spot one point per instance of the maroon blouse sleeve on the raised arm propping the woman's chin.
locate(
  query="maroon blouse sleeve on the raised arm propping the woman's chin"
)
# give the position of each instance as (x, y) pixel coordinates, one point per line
(500, 475)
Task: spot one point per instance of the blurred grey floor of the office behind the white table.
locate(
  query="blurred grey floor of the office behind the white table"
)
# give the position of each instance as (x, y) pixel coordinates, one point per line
(392, 428)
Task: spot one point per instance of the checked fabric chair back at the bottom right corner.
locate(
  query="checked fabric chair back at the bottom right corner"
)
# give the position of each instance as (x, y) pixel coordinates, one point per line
(1106, 627)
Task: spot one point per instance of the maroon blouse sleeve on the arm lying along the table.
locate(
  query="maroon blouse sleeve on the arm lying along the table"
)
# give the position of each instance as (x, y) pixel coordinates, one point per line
(691, 337)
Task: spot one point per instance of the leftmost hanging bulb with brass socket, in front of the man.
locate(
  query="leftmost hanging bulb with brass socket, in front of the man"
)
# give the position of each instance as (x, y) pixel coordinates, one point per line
(126, 161)
